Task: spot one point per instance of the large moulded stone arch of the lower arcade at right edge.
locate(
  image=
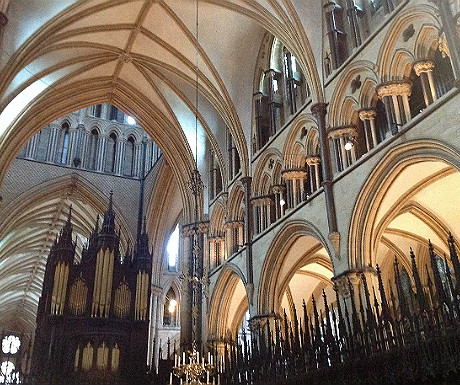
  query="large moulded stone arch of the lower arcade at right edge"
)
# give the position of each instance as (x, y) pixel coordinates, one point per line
(372, 214)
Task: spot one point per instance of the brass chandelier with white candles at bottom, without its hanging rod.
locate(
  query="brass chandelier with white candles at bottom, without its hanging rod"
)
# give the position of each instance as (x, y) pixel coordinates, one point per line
(191, 371)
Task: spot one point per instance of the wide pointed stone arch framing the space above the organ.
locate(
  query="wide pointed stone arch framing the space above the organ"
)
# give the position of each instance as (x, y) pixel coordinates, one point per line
(63, 100)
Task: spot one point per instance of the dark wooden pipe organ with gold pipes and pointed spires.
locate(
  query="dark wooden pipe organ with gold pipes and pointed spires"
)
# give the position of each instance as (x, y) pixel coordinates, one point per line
(93, 316)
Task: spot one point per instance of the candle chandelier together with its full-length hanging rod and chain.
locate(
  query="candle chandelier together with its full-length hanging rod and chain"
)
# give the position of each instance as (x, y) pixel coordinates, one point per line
(188, 367)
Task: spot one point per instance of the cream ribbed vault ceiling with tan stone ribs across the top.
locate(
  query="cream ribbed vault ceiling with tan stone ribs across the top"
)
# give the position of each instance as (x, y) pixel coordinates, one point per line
(150, 45)
